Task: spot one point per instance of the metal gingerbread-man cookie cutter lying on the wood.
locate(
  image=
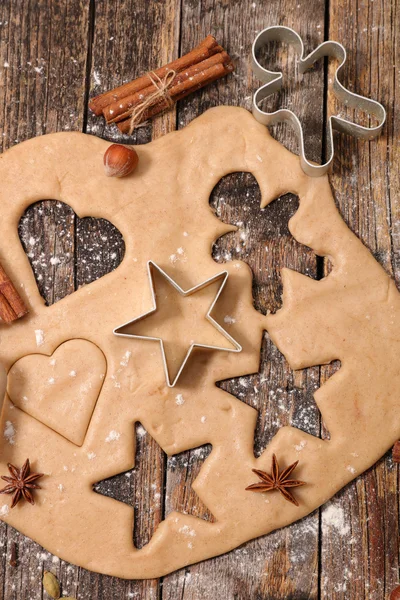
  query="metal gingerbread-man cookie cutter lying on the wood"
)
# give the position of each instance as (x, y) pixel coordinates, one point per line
(273, 83)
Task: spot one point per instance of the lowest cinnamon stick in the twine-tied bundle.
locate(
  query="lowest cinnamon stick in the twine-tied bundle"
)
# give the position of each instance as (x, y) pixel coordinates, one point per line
(180, 91)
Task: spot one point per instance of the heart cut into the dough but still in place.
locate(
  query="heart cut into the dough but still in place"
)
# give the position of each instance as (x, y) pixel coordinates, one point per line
(61, 390)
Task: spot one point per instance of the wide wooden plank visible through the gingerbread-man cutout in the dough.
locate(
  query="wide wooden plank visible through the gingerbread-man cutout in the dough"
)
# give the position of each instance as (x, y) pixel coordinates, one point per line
(285, 564)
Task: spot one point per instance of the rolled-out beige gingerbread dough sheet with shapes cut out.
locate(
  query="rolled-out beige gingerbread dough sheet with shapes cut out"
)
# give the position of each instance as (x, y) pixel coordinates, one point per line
(351, 315)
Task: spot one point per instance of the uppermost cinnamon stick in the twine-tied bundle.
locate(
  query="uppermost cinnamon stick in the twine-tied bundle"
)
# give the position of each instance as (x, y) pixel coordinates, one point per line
(205, 49)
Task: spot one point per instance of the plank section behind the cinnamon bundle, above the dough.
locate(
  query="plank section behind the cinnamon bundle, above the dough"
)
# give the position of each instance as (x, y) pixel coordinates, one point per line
(129, 40)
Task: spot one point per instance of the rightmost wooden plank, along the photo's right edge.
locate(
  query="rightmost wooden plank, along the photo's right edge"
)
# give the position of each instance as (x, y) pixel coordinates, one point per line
(360, 527)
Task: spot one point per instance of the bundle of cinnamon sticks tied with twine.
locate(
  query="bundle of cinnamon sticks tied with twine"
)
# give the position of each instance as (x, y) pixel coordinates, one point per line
(144, 97)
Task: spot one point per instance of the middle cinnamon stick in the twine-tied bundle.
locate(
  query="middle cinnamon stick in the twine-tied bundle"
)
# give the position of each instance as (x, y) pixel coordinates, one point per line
(118, 111)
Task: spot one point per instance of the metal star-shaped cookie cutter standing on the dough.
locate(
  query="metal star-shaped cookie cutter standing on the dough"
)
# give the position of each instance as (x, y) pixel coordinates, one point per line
(224, 276)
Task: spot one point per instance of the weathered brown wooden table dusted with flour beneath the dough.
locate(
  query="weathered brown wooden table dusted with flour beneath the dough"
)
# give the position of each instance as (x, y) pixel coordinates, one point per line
(53, 56)
